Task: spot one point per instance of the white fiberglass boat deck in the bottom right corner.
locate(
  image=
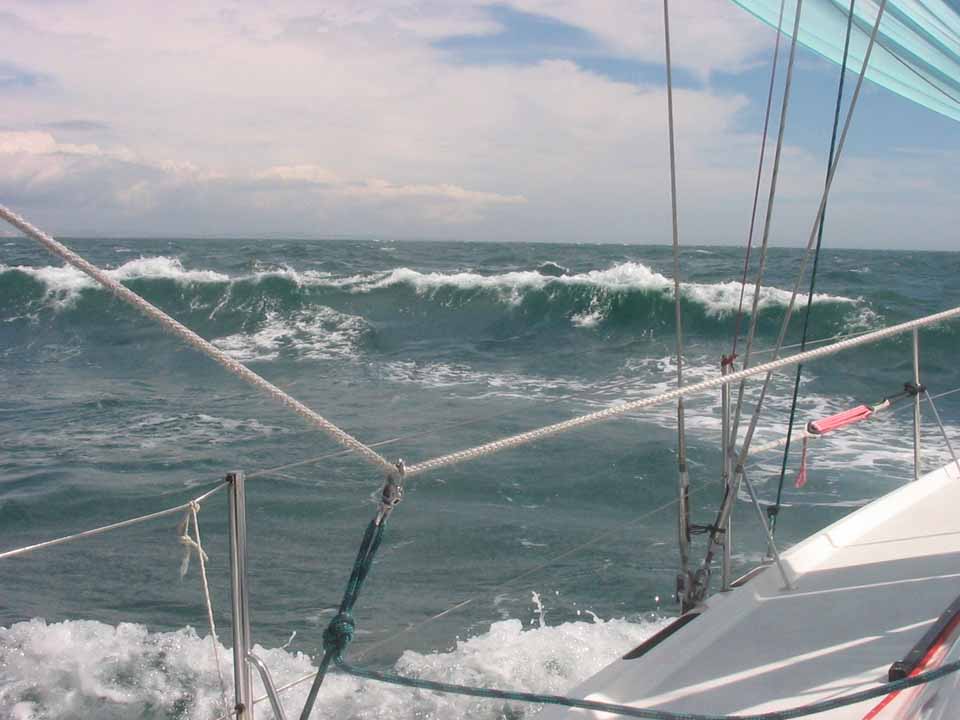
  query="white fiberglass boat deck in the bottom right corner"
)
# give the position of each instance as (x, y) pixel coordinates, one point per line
(866, 590)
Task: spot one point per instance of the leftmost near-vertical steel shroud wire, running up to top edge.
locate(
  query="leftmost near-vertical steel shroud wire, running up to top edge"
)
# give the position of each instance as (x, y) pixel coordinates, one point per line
(683, 525)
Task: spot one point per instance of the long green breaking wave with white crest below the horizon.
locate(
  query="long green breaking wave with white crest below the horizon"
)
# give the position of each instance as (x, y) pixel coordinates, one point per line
(323, 315)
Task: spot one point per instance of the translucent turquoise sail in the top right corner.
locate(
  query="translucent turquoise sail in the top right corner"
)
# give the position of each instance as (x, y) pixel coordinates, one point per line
(917, 54)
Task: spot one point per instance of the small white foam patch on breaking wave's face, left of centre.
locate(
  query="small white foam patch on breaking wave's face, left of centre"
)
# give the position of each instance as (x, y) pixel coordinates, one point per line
(317, 333)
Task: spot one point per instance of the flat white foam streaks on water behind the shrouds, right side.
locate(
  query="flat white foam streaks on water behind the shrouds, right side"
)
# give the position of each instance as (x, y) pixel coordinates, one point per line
(882, 443)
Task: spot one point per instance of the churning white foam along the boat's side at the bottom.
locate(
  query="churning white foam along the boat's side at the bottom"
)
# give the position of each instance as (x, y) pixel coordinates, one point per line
(82, 668)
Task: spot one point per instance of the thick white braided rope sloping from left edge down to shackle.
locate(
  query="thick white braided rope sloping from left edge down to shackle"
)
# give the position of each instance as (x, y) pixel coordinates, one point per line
(194, 340)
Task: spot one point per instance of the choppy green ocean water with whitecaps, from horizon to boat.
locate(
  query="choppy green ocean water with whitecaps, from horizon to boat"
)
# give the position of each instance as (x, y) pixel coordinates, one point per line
(557, 557)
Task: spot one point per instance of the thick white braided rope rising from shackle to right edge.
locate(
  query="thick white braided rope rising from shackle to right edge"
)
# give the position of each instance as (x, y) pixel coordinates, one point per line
(695, 389)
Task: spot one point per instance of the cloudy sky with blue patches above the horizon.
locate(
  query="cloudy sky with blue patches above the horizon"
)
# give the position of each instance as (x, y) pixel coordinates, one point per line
(523, 120)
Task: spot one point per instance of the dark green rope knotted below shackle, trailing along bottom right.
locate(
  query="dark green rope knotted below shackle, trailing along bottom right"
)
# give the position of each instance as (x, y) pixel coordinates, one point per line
(340, 631)
